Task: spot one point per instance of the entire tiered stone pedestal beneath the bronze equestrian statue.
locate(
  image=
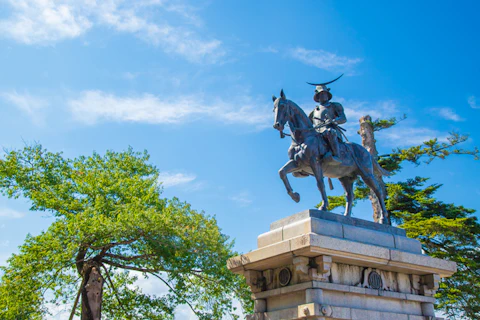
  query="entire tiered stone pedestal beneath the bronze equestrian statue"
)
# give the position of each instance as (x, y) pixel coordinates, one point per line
(320, 265)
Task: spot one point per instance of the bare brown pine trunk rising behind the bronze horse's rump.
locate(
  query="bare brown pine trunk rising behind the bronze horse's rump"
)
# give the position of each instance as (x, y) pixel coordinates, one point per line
(368, 142)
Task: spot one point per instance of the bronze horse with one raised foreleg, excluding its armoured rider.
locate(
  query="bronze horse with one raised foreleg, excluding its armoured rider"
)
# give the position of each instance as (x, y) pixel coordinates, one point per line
(307, 152)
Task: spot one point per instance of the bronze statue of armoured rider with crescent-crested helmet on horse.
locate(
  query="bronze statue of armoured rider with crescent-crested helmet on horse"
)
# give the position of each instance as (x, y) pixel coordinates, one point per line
(318, 150)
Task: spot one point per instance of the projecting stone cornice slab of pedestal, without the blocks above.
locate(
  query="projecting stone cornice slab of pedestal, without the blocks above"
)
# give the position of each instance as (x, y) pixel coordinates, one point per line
(341, 251)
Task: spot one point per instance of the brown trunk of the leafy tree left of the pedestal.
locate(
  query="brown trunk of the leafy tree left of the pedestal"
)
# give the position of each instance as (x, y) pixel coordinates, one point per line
(92, 292)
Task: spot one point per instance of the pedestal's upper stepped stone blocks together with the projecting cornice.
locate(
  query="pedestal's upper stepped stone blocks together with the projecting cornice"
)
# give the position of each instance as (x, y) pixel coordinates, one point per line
(347, 240)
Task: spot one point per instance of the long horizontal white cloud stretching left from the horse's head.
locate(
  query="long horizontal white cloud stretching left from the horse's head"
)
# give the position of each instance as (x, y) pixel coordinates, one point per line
(95, 106)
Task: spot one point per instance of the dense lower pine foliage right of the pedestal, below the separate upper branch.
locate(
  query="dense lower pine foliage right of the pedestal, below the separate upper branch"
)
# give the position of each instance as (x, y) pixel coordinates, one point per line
(446, 231)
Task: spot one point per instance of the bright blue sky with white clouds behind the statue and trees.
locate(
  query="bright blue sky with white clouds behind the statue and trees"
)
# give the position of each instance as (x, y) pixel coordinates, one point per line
(191, 82)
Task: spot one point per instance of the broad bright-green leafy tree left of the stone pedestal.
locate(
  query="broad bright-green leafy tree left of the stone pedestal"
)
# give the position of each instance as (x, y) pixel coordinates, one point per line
(110, 222)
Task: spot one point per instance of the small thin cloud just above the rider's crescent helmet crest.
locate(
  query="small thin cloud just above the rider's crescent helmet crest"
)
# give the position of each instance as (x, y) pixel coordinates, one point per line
(324, 60)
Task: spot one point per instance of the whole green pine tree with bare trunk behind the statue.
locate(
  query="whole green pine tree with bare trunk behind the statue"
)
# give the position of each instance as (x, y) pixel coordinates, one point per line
(446, 231)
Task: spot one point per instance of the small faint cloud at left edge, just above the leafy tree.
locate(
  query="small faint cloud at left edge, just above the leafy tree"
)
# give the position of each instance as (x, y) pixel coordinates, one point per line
(30, 105)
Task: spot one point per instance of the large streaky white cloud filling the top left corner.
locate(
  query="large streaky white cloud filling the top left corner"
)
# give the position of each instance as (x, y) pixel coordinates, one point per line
(44, 22)
